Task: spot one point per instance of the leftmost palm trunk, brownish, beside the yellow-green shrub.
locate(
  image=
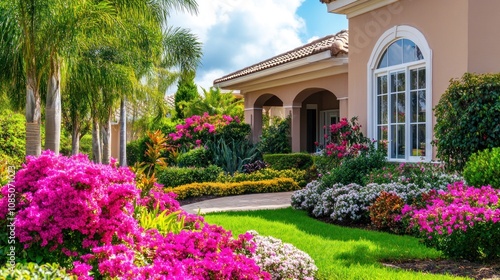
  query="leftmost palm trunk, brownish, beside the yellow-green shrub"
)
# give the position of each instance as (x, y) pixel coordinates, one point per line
(33, 116)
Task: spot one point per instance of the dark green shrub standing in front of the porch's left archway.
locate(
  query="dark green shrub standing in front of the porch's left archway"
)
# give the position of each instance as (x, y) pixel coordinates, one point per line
(275, 138)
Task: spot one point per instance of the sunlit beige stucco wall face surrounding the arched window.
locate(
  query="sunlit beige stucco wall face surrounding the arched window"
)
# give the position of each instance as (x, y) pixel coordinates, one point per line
(444, 24)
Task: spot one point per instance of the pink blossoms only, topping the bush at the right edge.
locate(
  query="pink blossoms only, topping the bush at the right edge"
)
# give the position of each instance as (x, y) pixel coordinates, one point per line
(459, 208)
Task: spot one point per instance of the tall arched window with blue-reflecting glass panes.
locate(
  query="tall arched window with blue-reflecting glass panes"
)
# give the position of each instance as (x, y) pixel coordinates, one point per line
(400, 99)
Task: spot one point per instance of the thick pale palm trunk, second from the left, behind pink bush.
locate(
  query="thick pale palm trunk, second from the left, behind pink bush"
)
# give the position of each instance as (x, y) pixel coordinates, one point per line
(53, 107)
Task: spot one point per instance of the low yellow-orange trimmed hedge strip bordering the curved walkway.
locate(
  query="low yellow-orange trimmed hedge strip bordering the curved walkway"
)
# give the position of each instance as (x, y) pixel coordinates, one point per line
(226, 189)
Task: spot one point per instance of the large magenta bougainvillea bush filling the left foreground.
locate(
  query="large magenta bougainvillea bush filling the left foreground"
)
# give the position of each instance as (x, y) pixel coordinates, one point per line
(81, 215)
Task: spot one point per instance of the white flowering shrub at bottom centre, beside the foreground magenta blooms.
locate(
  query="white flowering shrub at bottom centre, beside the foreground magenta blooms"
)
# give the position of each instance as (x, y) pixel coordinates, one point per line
(282, 260)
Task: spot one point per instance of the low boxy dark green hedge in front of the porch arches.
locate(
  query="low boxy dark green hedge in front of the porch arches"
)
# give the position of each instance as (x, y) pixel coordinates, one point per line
(301, 161)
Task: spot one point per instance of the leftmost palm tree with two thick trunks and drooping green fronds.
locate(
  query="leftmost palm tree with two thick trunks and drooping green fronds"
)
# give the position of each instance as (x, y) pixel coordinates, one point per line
(34, 35)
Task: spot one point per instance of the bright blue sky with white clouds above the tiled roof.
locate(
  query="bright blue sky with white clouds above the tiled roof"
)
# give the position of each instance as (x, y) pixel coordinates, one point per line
(239, 33)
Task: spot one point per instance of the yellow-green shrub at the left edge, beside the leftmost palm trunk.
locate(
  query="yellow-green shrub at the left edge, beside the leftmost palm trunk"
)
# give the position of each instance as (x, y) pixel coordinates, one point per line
(12, 137)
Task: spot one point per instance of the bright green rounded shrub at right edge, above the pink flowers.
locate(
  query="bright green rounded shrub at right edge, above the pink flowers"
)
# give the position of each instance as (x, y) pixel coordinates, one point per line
(483, 168)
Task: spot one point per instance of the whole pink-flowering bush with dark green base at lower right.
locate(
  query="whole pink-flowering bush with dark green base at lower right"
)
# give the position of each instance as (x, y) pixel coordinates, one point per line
(463, 221)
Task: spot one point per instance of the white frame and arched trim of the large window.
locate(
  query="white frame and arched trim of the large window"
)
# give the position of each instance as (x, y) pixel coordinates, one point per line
(388, 37)
